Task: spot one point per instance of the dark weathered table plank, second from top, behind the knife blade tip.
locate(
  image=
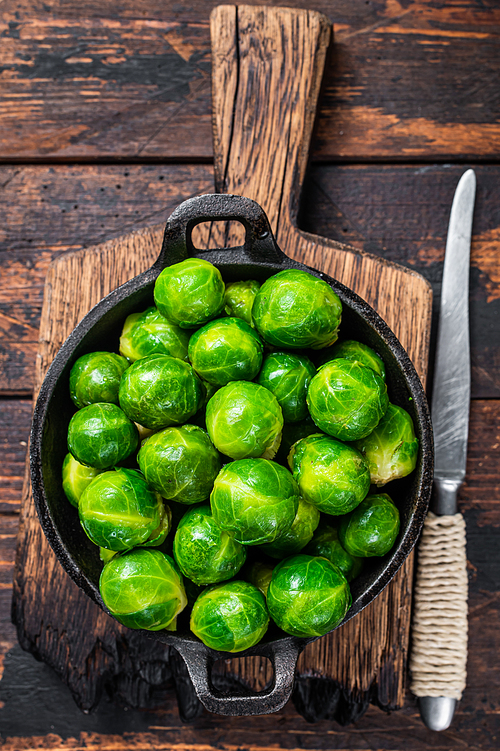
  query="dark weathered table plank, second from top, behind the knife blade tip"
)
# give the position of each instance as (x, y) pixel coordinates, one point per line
(396, 212)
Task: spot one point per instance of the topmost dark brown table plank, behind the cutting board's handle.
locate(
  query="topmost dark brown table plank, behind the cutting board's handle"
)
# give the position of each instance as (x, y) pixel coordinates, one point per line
(87, 80)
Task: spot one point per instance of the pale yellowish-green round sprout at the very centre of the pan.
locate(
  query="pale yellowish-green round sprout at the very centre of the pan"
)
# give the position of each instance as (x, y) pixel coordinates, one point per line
(244, 419)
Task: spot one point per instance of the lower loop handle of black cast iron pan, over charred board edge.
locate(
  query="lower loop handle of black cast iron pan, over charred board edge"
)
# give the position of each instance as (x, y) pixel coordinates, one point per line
(199, 661)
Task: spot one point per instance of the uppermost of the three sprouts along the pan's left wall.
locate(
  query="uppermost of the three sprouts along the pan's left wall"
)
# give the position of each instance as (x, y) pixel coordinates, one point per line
(96, 378)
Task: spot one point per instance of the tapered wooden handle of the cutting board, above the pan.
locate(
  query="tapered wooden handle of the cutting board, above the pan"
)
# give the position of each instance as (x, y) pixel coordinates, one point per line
(267, 66)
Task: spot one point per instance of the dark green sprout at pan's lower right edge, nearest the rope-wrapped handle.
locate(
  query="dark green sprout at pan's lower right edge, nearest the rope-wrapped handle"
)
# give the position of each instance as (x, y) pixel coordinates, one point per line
(371, 529)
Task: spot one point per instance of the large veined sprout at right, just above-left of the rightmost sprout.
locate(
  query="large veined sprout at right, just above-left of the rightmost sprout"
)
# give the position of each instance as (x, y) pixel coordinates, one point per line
(346, 399)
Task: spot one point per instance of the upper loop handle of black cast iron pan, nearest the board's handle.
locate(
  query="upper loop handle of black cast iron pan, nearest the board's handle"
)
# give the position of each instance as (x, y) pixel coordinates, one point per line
(260, 245)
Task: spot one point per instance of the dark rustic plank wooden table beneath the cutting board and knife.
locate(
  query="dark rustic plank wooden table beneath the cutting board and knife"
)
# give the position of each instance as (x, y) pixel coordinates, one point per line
(105, 126)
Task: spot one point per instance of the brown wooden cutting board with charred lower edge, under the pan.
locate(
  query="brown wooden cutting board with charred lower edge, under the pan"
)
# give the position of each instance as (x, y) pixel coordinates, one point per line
(267, 69)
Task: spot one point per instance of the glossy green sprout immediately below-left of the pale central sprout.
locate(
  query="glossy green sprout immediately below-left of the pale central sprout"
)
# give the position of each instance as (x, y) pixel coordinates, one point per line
(180, 463)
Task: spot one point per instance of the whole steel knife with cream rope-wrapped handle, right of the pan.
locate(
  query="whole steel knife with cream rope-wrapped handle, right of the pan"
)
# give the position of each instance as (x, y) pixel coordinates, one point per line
(439, 630)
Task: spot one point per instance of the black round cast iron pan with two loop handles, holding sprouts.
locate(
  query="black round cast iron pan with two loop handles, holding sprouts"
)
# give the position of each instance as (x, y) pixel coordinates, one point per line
(258, 258)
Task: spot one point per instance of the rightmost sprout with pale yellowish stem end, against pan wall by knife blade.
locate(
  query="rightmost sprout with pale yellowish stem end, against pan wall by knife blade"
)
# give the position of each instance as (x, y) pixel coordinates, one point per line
(391, 450)
